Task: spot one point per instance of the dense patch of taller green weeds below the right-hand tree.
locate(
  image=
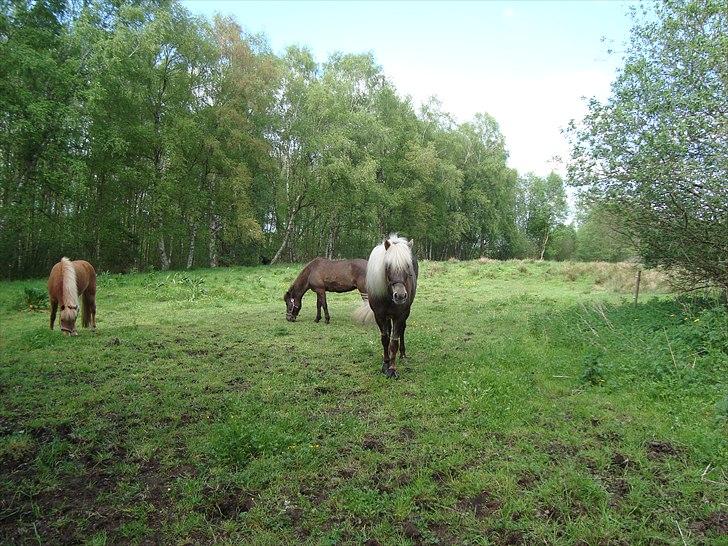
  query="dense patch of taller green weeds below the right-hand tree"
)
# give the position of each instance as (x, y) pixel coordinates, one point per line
(661, 345)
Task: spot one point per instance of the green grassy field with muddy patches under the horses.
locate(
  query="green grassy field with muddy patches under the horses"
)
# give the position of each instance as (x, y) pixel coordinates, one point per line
(537, 405)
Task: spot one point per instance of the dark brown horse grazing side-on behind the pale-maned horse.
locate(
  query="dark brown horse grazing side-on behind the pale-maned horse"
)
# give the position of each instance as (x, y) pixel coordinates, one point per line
(321, 276)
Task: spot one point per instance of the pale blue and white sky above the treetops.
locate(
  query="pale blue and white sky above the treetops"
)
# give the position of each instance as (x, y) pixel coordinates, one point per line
(529, 64)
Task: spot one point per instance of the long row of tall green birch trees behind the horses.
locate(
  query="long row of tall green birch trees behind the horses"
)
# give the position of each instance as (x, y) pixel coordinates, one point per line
(136, 135)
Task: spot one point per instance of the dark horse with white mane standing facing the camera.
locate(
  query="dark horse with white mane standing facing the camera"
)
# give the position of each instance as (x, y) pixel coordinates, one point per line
(391, 284)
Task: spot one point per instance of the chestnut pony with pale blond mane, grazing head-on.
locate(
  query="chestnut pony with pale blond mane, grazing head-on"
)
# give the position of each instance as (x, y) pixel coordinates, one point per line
(67, 281)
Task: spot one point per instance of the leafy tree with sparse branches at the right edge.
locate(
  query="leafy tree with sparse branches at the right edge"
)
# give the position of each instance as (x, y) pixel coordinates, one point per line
(653, 155)
